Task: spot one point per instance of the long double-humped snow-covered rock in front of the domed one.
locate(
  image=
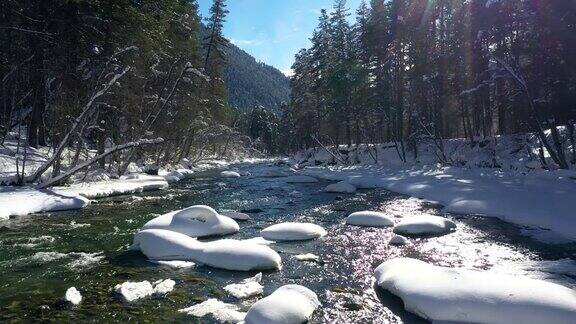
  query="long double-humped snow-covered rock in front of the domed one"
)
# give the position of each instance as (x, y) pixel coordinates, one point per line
(158, 244)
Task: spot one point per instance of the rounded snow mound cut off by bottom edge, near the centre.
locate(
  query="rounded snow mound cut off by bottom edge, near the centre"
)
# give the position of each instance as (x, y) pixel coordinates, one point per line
(288, 304)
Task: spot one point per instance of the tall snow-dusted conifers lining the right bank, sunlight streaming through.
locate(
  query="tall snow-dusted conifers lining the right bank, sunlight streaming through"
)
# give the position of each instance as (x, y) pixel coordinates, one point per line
(413, 71)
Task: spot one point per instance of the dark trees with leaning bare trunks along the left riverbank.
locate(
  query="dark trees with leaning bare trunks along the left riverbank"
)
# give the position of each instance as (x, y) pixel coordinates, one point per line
(94, 75)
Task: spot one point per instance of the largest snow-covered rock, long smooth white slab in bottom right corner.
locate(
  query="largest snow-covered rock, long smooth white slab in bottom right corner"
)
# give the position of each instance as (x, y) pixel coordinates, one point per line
(442, 294)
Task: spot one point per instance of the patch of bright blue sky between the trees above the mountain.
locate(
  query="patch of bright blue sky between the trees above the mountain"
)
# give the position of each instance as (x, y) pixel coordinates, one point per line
(272, 30)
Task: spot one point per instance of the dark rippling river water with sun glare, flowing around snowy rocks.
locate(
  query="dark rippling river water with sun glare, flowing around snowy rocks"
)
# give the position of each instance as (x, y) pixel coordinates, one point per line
(43, 255)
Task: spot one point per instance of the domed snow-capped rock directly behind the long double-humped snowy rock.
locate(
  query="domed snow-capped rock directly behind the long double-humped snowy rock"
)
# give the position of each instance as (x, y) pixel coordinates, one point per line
(195, 221)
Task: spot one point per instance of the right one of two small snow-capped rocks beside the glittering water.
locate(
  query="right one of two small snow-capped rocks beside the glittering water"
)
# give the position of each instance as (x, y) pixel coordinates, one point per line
(424, 225)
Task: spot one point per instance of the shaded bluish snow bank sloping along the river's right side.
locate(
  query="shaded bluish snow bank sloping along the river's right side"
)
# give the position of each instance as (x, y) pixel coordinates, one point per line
(538, 200)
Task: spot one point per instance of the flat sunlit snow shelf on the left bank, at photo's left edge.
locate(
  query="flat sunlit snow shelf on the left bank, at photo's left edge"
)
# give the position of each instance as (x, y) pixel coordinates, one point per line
(22, 202)
